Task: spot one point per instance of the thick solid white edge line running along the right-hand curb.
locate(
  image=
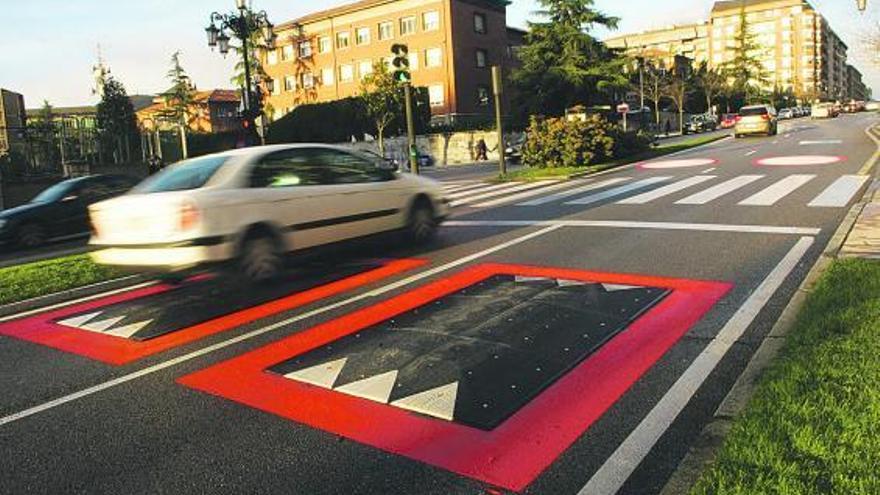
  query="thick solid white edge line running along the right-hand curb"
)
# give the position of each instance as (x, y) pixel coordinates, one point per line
(620, 465)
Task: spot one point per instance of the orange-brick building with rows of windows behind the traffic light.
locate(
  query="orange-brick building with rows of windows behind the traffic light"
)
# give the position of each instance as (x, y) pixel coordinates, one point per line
(452, 44)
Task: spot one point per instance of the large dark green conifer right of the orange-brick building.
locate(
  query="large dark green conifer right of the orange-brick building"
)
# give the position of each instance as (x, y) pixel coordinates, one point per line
(561, 63)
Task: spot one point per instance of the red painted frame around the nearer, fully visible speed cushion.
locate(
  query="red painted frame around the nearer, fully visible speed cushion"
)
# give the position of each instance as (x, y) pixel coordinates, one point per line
(517, 451)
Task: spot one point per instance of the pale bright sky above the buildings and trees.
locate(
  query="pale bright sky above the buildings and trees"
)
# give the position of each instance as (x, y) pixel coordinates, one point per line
(48, 47)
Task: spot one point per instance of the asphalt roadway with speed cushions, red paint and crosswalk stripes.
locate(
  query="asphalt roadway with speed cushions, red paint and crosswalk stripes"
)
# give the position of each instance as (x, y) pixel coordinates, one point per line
(556, 339)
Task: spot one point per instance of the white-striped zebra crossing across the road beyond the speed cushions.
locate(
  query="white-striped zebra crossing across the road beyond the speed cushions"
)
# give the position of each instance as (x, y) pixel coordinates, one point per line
(751, 190)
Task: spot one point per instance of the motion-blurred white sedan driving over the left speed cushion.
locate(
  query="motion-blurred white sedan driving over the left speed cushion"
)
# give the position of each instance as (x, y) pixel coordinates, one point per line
(251, 206)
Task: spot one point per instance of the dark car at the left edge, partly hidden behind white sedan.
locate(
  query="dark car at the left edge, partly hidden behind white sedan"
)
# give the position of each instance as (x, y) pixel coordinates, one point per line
(59, 212)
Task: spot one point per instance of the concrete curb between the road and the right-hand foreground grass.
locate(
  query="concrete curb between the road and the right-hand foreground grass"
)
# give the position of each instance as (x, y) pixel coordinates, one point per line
(705, 448)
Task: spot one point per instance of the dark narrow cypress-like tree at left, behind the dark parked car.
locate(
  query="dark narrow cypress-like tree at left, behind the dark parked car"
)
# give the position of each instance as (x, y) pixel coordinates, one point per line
(116, 120)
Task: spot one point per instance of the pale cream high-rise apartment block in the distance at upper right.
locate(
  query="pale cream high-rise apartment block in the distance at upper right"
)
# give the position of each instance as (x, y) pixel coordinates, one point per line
(798, 49)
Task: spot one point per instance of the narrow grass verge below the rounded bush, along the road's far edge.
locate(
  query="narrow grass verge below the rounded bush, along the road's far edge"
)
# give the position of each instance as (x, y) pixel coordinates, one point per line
(533, 174)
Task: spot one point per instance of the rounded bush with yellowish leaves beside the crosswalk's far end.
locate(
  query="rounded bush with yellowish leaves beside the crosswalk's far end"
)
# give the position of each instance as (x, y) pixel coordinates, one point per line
(556, 142)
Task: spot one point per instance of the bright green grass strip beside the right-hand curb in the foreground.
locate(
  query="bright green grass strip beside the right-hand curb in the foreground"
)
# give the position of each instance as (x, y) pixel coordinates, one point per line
(813, 426)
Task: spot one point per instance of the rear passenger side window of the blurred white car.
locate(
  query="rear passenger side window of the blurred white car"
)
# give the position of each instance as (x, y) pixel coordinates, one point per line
(289, 168)
